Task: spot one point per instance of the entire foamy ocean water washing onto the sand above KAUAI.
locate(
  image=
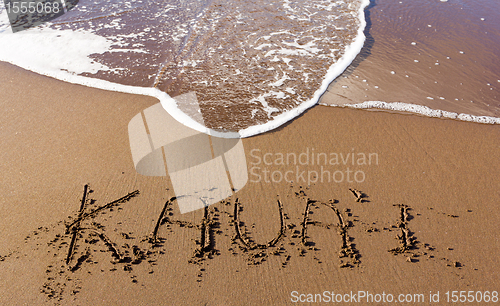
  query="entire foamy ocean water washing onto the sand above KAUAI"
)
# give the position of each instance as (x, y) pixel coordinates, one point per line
(255, 65)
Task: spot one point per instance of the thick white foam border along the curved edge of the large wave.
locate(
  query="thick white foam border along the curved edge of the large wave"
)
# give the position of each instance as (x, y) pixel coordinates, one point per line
(65, 74)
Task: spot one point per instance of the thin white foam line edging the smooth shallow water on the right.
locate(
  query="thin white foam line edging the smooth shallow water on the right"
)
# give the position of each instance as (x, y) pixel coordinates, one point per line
(420, 109)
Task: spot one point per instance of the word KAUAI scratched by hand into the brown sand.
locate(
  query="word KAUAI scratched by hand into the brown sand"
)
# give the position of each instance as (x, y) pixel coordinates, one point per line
(97, 238)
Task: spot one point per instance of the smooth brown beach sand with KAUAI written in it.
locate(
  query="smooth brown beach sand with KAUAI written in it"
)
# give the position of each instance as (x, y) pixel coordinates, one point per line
(426, 219)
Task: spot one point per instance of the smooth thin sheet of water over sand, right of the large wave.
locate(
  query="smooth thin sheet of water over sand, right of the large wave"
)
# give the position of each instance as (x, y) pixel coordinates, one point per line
(444, 55)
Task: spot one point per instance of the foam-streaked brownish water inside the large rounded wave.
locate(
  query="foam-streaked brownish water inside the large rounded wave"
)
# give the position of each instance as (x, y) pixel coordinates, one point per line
(247, 61)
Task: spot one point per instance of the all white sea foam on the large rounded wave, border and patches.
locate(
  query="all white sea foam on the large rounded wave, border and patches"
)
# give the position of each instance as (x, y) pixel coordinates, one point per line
(72, 55)
